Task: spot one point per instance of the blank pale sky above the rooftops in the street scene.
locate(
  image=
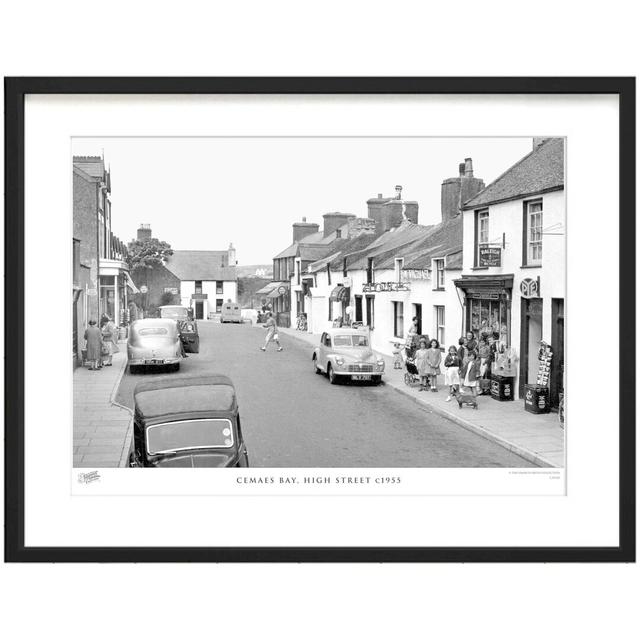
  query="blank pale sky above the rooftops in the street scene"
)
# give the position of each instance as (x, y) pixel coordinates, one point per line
(203, 193)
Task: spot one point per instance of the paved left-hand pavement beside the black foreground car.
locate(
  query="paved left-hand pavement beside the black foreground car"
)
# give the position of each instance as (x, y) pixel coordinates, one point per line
(102, 429)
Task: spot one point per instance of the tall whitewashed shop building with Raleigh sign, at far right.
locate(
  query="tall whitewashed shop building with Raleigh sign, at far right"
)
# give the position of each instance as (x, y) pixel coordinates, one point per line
(514, 262)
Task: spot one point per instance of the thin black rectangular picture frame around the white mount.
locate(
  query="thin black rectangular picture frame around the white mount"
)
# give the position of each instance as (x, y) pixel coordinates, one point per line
(15, 91)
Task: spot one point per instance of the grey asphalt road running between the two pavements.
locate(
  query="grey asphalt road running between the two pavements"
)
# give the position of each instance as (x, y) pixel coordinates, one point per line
(294, 418)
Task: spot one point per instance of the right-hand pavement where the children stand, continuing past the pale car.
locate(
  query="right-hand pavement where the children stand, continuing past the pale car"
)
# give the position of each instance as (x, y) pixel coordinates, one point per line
(538, 438)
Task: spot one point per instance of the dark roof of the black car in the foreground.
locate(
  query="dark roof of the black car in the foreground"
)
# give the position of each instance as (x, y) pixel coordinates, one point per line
(161, 402)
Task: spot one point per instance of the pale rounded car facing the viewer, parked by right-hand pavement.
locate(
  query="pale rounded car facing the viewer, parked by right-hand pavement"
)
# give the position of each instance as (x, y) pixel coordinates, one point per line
(347, 353)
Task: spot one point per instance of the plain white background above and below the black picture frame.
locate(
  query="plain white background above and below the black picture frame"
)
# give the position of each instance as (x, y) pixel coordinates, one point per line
(373, 601)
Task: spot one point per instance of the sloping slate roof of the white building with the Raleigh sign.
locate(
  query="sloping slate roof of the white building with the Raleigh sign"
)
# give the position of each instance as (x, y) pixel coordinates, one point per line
(540, 171)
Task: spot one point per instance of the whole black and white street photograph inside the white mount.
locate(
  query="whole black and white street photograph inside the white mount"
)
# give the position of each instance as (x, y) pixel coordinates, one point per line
(319, 302)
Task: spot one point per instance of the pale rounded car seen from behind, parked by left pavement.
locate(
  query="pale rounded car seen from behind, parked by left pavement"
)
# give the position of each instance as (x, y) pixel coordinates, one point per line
(154, 342)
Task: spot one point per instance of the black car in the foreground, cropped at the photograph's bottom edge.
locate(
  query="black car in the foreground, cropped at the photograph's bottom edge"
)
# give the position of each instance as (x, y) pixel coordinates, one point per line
(187, 421)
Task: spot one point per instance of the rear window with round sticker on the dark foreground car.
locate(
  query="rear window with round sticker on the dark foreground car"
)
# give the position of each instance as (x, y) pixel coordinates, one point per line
(214, 433)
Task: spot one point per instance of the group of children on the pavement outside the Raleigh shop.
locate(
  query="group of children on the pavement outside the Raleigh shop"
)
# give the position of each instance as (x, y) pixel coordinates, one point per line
(464, 365)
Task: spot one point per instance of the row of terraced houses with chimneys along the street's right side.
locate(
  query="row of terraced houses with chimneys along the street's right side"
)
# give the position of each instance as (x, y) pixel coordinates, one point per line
(494, 264)
